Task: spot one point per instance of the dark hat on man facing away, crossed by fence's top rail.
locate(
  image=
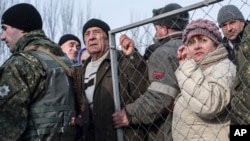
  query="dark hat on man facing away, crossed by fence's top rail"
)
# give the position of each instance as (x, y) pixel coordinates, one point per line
(177, 22)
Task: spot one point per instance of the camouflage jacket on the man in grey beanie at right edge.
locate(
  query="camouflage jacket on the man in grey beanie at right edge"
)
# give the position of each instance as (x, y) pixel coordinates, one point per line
(240, 102)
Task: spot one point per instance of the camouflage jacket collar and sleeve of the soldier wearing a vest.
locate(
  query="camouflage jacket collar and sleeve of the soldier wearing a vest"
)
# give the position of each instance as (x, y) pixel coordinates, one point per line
(22, 79)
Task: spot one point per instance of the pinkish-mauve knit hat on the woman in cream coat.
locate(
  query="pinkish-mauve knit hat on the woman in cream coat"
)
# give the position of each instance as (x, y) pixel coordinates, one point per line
(202, 27)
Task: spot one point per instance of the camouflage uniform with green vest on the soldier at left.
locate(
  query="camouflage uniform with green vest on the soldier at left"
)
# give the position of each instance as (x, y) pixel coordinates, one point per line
(23, 90)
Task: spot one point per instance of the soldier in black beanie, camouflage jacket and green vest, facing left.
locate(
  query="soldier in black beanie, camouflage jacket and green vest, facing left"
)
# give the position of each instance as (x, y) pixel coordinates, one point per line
(31, 107)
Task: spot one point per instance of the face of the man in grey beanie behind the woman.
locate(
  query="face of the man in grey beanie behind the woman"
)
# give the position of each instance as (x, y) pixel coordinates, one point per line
(231, 29)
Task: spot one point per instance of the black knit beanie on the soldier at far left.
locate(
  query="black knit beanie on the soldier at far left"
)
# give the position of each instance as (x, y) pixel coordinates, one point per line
(22, 16)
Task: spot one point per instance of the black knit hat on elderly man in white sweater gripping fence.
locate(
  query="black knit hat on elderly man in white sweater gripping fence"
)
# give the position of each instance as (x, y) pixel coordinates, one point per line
(95, 23)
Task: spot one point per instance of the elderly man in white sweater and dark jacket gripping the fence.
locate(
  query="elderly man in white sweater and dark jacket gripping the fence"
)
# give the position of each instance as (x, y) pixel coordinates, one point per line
(97, 78)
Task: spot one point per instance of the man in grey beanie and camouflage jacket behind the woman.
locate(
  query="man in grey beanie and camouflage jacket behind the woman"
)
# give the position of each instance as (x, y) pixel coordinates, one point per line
(237, 42)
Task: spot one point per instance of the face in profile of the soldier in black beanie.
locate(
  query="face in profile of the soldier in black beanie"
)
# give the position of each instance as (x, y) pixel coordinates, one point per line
(10, 35)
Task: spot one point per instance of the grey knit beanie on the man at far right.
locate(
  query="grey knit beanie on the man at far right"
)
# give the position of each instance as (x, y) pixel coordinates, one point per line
(229, 13)
